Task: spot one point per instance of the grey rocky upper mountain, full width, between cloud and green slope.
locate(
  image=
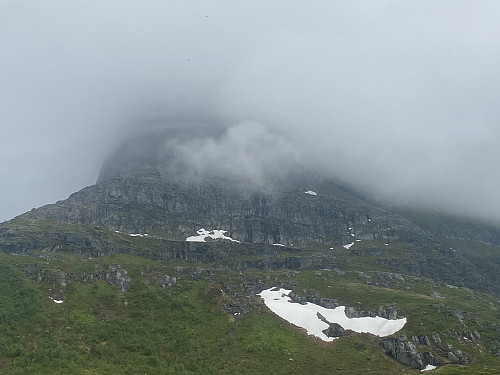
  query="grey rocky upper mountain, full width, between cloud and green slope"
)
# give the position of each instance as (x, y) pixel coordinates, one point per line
(313, 220)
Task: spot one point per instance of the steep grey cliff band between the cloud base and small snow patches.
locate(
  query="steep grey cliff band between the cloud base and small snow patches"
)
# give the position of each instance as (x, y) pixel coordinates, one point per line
(150, 200)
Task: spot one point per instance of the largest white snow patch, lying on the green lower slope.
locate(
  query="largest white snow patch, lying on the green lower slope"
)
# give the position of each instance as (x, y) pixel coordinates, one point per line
(306, 316)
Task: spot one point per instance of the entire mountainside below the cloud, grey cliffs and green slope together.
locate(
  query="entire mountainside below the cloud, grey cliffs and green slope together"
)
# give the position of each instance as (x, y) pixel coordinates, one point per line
(139, 298)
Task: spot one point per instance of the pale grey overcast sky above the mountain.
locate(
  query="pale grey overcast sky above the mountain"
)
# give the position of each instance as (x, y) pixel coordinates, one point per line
(399, 97)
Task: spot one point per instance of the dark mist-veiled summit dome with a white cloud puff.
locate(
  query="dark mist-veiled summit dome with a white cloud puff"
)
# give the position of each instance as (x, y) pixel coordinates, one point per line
(245, 150)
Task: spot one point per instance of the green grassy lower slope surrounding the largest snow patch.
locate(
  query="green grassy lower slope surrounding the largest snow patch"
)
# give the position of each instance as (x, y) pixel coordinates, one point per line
(184, 329)
